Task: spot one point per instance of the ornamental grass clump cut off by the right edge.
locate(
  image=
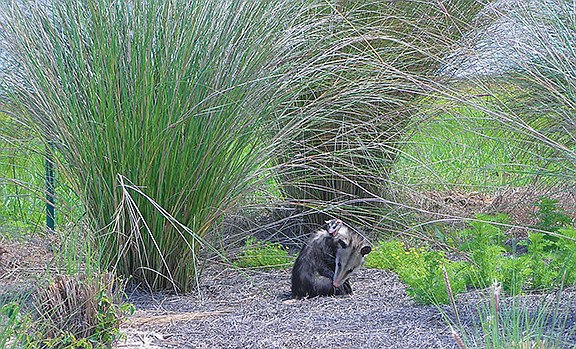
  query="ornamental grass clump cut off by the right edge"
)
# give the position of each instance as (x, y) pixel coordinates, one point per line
(532, 97)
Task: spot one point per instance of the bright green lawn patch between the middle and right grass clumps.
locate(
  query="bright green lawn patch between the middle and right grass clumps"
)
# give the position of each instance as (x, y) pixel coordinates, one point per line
(466, 148)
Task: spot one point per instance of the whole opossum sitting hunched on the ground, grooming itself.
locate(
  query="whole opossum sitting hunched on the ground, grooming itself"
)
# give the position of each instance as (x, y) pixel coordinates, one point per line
(327, 260)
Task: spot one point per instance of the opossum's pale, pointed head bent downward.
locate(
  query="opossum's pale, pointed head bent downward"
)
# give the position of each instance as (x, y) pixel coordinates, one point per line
(350, 254)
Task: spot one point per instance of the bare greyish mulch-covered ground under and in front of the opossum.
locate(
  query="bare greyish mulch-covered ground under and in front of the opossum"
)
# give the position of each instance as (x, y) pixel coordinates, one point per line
(254, 311)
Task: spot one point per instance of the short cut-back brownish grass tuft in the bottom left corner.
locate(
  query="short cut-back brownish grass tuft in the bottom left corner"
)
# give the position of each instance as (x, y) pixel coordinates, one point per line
(77, 312)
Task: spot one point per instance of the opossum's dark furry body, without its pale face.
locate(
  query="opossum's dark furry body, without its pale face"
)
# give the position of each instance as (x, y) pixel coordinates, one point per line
(313, 271)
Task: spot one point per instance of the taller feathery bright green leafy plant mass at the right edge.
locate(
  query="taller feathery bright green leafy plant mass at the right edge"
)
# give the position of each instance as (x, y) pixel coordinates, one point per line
(546, 261)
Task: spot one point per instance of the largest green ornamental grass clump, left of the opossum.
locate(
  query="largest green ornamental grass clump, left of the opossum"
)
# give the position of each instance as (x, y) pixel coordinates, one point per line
(156, 112)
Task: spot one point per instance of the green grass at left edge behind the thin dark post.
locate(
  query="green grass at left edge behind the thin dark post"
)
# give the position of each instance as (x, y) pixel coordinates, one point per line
(23, 183)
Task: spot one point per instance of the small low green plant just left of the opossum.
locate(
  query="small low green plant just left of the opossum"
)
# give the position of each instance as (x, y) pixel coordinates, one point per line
(263, 254)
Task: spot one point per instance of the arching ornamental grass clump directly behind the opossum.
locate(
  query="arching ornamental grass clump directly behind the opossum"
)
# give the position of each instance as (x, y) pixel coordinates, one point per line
(370, 65)
